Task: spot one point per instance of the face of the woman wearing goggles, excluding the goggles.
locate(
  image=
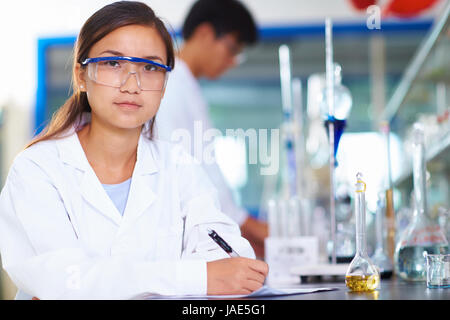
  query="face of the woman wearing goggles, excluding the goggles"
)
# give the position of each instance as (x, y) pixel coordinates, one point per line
(127, 107)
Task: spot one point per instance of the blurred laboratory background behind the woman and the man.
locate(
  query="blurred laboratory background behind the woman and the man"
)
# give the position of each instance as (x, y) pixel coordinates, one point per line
(377, 153)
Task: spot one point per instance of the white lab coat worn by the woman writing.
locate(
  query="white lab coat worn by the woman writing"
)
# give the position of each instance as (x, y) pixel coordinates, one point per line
(61, 237)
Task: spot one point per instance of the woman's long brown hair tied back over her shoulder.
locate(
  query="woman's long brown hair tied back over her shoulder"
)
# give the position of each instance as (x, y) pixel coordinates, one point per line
(101, 23)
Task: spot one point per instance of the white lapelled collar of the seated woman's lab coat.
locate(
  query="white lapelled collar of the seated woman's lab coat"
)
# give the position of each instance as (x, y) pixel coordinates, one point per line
(140, 196)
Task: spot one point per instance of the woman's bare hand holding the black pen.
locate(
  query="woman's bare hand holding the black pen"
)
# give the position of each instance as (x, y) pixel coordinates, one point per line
(235, 275)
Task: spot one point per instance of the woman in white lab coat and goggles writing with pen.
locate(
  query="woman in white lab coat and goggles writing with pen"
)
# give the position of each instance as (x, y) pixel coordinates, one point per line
(94, 208)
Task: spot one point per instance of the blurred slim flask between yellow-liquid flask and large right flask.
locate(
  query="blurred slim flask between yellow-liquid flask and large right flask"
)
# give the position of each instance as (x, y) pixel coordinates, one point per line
(380, 257)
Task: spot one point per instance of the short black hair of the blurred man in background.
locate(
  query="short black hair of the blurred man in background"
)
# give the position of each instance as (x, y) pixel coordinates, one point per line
(225, 16)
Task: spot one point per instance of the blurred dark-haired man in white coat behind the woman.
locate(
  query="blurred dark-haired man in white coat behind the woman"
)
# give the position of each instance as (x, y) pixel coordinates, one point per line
(214, 34)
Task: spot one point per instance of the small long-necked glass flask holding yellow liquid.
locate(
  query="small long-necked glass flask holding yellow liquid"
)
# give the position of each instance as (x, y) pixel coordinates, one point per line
(362, 275)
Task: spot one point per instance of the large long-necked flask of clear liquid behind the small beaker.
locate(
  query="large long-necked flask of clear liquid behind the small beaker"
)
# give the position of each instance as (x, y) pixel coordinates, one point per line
(423, 235)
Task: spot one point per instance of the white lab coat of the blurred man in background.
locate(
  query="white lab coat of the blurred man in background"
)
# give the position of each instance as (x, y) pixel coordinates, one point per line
(184, 107)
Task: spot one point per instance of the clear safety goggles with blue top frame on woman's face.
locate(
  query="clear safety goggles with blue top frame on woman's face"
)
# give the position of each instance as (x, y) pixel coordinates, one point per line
(115, 72)
